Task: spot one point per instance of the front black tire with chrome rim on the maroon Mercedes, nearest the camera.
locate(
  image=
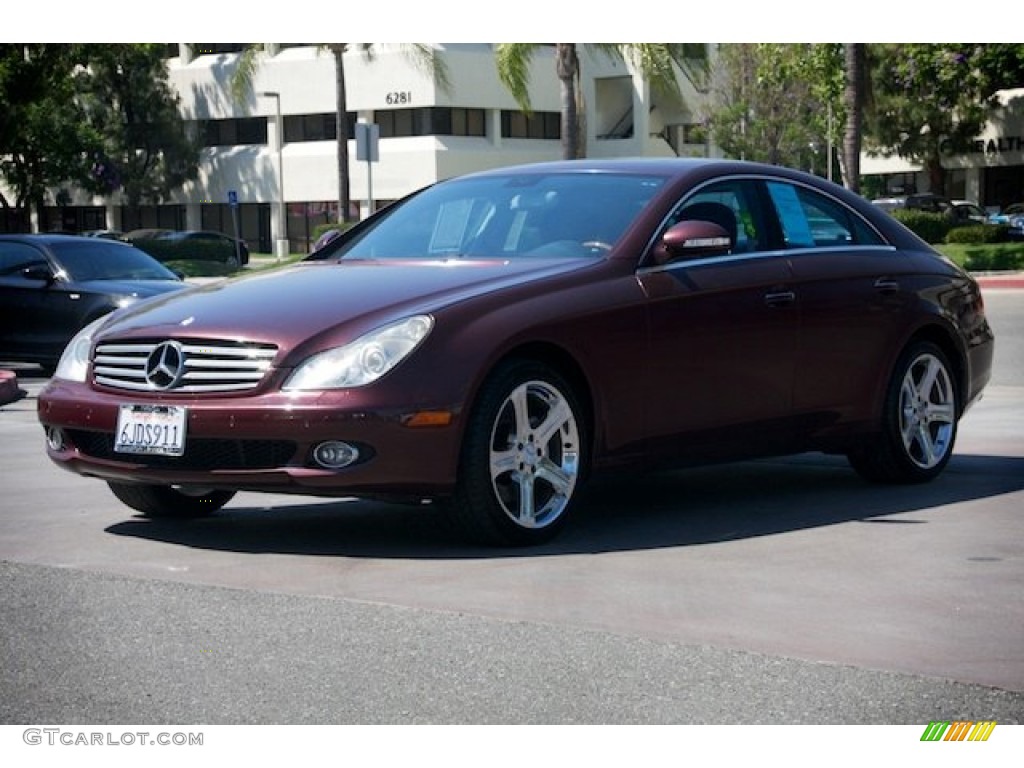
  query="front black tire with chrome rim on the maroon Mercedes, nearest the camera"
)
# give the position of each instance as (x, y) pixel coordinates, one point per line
(524, 458)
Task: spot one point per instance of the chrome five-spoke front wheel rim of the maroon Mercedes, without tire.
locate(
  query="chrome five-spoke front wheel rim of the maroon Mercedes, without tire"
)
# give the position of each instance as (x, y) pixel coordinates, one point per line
(535, 455)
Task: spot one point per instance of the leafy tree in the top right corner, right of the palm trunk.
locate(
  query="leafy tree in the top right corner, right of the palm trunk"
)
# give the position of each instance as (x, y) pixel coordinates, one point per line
(931, 98)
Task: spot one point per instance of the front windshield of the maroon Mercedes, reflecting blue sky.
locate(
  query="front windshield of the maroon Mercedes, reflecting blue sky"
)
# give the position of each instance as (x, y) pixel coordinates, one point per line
(572, 215)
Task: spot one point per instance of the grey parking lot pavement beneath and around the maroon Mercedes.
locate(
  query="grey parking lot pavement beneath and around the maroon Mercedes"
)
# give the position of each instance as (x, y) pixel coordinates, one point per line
(765, 592)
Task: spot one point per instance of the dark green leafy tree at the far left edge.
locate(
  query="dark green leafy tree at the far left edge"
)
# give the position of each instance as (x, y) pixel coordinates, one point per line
(45, 137)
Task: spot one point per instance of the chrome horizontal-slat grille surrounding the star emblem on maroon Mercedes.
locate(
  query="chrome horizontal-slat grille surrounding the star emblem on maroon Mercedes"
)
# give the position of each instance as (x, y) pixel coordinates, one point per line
(208, 366)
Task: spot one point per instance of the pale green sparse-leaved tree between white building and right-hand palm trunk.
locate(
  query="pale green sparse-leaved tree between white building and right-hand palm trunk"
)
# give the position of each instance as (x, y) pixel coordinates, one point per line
(778, 104)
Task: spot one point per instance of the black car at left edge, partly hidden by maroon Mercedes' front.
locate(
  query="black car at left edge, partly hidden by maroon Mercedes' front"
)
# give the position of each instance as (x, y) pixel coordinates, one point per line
(54, 285)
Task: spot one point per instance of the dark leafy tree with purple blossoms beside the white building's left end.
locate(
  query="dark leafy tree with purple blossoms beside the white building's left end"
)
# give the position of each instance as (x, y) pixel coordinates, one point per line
(147, 151)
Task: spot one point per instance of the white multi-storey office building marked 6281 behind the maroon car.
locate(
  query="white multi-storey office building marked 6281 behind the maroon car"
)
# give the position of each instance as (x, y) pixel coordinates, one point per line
(276, 154)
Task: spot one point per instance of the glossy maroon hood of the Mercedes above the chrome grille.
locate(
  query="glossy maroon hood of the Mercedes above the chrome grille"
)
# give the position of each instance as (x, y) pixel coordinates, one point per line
(343, 300)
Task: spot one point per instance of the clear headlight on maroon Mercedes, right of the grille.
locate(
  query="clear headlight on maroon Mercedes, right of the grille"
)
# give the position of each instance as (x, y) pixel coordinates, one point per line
(364, 361)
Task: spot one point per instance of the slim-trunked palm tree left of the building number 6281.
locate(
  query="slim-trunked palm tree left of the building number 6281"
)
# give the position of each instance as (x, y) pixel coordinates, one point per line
(423, 56)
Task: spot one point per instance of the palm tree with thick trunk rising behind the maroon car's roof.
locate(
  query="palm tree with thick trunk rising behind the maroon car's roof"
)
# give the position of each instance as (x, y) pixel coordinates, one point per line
(655, 61)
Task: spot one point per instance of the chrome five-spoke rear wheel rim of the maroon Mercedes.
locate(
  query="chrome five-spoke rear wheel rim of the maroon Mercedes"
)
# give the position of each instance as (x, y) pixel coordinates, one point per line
(927, 412)
